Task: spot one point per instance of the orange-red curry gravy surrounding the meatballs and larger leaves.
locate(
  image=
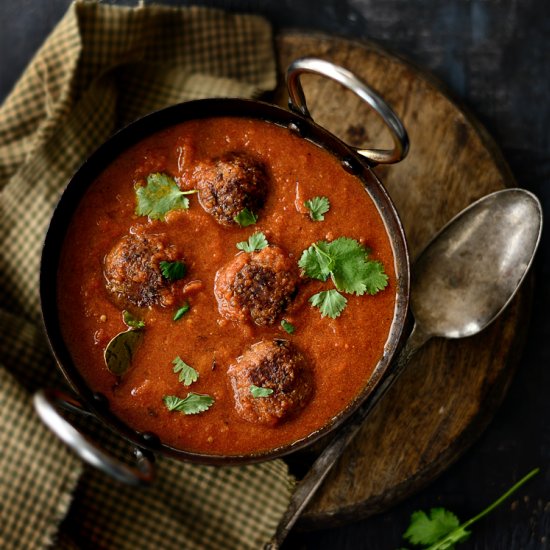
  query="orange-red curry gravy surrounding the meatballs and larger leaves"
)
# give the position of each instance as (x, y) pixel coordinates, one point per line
(341, 352)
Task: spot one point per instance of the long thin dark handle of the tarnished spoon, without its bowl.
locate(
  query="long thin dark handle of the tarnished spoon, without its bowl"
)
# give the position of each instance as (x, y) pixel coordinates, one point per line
(325, 461)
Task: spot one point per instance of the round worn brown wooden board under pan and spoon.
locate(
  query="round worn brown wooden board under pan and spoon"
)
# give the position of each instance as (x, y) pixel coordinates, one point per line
(451, 389)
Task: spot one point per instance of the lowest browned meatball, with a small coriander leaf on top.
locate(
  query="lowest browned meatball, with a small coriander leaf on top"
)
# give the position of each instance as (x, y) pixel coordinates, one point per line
(276, 365)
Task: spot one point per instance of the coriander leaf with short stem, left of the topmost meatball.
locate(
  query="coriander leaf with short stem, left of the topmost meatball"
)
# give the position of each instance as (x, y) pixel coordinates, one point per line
(160, 196)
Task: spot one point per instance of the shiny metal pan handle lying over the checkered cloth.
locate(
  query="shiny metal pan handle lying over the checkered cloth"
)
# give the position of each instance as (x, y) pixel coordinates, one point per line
(47, 404)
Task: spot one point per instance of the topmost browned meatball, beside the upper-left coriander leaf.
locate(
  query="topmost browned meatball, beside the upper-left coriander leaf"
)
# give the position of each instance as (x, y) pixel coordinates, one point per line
(229, 184)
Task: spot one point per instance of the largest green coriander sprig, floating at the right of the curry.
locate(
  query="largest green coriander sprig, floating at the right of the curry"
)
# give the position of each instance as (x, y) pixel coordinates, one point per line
(346, 262)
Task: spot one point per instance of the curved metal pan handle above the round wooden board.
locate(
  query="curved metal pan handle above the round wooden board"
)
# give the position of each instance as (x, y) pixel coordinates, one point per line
(297, 103)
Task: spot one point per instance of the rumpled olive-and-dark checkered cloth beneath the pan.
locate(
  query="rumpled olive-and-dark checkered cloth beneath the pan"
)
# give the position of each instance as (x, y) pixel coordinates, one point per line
(102, 67)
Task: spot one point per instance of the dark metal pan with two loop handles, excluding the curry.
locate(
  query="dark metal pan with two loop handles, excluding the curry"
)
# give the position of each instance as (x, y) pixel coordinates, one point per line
(298, 119)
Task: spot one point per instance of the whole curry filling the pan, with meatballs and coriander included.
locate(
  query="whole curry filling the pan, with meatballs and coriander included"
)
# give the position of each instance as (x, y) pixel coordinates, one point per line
(226, 285)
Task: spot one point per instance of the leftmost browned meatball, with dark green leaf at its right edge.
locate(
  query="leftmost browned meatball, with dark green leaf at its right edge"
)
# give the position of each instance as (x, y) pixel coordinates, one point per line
(132, 270)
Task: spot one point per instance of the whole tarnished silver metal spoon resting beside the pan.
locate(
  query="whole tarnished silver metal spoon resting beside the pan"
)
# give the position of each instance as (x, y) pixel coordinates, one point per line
(460, 283)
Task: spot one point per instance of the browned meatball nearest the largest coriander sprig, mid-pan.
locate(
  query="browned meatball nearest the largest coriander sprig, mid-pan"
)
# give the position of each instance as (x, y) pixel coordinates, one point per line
(256, 286)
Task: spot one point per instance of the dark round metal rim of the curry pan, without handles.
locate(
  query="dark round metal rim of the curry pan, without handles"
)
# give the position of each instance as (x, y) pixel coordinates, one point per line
(154, 122)
